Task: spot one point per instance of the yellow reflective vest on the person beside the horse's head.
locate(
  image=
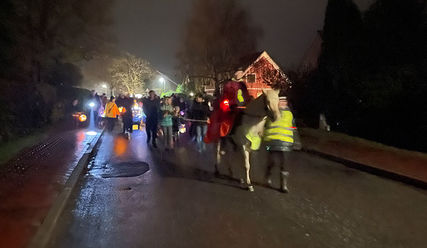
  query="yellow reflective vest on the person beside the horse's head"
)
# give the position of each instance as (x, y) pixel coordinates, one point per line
(282, 129)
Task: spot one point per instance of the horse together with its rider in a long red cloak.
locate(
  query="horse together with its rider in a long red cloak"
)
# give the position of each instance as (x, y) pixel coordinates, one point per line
(242, 120)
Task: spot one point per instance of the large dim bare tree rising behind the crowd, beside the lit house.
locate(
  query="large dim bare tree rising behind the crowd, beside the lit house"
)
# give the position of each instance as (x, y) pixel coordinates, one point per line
(219, 33)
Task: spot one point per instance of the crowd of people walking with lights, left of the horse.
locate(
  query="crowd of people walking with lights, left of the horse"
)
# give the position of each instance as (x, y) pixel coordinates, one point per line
(165, 116)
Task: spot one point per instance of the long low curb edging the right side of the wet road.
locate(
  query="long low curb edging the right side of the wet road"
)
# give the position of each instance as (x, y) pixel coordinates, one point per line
(369, 169)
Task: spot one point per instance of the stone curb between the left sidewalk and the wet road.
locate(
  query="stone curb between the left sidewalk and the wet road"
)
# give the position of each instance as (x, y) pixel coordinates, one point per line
(44, 232)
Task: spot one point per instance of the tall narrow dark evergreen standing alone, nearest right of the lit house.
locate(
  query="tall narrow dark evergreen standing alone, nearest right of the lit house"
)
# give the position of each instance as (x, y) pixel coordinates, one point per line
(340, 60)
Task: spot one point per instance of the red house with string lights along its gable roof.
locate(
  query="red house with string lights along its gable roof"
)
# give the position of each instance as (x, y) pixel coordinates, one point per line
(258, 71)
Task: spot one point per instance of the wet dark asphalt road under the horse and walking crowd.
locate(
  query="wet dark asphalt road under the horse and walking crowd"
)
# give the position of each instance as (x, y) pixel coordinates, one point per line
(179, 202)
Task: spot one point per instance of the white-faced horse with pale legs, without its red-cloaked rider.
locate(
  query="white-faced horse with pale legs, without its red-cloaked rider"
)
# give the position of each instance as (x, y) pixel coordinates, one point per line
(249, 129)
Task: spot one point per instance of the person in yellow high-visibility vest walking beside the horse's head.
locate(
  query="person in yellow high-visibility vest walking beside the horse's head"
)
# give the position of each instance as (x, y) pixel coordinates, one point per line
(279, 139)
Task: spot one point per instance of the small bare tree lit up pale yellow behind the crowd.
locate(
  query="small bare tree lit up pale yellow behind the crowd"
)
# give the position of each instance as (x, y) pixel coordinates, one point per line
(129, 74)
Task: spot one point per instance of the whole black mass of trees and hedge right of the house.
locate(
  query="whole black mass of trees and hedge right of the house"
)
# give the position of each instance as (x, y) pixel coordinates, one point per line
(372, 76)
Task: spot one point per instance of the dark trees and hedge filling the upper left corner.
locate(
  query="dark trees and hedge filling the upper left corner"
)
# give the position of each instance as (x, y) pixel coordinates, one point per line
(41, 44)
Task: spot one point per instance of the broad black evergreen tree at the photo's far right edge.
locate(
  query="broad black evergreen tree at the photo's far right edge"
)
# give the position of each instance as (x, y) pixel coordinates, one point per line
(395, 79)
